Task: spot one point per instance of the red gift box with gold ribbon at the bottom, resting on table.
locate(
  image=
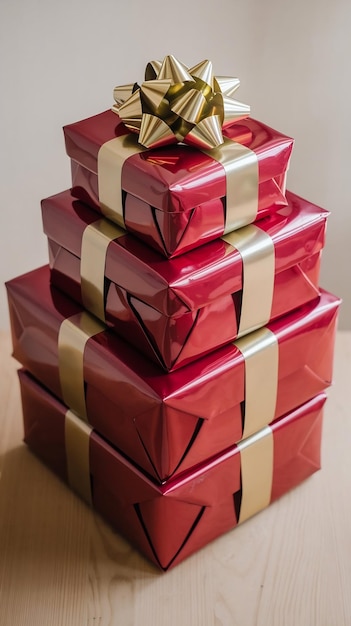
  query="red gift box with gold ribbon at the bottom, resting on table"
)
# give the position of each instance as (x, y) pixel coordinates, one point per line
(169, 522)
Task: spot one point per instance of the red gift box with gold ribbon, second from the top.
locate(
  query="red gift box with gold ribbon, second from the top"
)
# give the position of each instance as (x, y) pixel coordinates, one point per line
(176, 310)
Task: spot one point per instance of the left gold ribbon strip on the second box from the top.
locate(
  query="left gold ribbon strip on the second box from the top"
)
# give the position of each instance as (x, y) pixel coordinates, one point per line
(95, 241)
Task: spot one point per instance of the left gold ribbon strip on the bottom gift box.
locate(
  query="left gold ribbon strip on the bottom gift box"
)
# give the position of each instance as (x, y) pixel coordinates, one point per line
(77, 437)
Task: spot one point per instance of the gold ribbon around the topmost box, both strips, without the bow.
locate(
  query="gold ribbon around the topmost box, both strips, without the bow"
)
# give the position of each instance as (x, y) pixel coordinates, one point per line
(239, 162)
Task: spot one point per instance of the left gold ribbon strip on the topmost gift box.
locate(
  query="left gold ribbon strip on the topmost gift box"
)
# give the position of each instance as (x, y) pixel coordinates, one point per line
(111, 157)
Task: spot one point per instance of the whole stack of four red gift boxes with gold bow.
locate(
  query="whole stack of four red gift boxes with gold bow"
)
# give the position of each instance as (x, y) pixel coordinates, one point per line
(177, 349)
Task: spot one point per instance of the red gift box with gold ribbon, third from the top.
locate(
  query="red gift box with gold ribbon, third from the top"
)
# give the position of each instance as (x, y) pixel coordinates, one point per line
(167, 423)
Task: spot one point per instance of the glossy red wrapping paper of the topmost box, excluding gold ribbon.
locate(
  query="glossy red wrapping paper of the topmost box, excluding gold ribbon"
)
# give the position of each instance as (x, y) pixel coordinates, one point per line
(175, 196)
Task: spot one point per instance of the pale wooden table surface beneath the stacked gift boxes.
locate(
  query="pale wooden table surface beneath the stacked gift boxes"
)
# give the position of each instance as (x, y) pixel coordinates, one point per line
(60, 564)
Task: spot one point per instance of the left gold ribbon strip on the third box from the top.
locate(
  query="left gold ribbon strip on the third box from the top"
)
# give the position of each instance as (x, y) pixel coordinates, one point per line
(73, 335)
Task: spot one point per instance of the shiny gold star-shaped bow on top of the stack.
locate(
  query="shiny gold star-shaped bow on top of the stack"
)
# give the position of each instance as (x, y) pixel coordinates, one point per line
(178, 104)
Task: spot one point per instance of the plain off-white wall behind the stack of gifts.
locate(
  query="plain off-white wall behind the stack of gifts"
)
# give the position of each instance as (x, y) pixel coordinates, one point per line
(61, 59)
